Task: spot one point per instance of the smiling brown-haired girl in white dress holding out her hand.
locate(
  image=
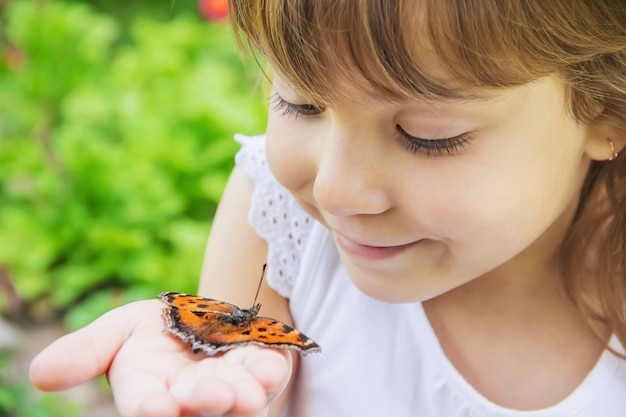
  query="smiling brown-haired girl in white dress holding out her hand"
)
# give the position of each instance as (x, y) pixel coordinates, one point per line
(442, 210)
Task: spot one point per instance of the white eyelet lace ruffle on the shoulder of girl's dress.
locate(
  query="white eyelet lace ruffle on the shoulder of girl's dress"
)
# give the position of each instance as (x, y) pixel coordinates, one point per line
(275, 216)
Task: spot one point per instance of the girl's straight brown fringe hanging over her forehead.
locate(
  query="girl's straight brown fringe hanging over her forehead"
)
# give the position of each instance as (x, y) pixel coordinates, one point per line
(393, 50)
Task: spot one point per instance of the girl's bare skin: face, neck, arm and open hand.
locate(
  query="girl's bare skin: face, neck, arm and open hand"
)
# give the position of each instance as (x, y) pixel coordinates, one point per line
(482, 227)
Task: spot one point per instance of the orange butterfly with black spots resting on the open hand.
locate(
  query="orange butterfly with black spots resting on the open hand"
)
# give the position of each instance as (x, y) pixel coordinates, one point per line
(214, 326)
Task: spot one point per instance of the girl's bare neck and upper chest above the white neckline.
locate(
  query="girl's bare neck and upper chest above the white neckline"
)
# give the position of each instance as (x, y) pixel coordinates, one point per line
(515, 335)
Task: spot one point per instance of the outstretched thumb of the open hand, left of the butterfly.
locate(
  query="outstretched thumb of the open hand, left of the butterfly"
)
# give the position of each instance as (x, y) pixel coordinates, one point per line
(86, 353)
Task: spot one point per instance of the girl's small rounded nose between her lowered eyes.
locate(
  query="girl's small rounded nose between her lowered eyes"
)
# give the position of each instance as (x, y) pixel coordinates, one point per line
(351, 176)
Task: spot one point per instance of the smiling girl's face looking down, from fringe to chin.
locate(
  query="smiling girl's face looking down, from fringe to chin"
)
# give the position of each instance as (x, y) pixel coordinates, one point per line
(423, 197)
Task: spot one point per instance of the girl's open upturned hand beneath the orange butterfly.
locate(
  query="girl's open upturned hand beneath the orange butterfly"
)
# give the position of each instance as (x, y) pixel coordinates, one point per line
(153, 374)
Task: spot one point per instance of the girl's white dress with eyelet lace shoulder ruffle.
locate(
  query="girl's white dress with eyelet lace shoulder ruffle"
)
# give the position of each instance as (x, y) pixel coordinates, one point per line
(377, 359)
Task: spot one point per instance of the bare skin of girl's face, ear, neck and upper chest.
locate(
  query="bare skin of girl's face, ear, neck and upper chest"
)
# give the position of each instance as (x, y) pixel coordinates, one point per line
(474, 232)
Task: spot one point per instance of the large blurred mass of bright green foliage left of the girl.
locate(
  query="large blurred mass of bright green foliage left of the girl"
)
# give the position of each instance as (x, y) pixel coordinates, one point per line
(113, 154)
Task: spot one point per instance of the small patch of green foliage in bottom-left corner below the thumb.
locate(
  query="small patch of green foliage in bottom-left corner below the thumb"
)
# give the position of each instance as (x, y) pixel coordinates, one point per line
(17, 398)
